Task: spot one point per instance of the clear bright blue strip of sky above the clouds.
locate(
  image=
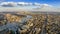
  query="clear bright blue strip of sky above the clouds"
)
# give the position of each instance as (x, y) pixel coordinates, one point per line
(55, 3)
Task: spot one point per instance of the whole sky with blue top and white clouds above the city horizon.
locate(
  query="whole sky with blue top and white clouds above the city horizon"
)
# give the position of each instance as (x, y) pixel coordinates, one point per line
(50, 5)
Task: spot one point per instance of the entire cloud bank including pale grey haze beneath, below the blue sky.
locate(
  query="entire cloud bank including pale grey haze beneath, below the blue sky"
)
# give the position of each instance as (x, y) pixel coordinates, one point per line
(38, 6)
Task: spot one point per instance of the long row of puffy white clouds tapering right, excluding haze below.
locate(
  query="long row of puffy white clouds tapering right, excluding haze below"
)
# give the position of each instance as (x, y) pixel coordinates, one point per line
(14, 4)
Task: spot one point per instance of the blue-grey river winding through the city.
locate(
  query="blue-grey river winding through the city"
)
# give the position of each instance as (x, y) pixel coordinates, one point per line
(14, 26)
